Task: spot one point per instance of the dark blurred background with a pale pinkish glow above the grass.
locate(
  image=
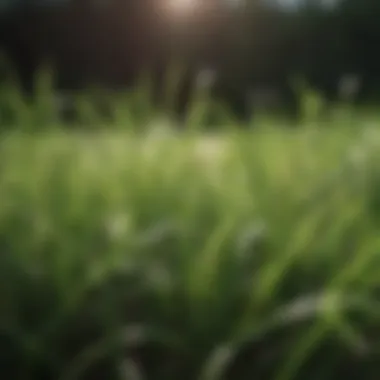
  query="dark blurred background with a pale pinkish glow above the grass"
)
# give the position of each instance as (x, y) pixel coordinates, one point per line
(254, 48)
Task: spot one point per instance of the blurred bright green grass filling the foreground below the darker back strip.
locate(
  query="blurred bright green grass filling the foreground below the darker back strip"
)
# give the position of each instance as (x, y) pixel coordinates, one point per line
(241, 255)
